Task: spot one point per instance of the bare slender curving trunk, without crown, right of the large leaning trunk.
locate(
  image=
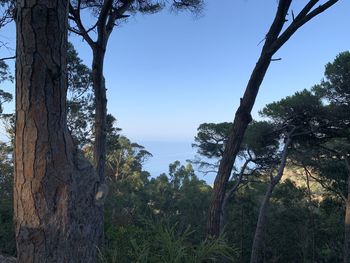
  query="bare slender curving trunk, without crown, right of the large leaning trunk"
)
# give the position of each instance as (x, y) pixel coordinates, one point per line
(259, 231)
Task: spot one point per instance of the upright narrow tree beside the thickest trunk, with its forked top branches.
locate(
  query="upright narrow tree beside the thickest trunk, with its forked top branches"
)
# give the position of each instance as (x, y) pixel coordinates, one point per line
(108, 14)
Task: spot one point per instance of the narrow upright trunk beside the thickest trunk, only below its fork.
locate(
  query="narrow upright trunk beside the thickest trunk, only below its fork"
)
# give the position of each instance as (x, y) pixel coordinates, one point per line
(101, 111)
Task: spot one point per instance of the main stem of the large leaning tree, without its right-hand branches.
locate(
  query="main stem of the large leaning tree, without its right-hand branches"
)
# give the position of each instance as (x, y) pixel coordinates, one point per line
(241, 121)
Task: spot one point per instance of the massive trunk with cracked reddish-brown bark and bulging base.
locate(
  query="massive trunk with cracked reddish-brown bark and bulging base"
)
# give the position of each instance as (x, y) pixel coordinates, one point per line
(56, 217)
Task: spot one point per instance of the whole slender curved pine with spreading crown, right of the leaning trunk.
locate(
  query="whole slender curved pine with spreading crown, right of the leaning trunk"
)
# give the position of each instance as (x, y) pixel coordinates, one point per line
(297, 118)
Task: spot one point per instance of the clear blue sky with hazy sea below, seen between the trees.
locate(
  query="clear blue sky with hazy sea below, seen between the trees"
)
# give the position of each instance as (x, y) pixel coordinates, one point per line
(168, 73)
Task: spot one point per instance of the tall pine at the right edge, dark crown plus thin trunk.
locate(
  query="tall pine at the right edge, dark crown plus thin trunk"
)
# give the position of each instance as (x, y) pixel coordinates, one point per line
(335, 89)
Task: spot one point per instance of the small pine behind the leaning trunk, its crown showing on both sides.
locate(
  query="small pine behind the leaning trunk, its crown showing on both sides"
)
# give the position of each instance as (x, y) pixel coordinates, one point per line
(257, 154)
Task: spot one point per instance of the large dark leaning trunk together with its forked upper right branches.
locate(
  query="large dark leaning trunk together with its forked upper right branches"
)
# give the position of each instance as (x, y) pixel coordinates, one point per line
(275, 39)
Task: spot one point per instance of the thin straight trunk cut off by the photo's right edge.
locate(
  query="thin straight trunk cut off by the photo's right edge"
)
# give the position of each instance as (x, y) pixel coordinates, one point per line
(347, 217)
